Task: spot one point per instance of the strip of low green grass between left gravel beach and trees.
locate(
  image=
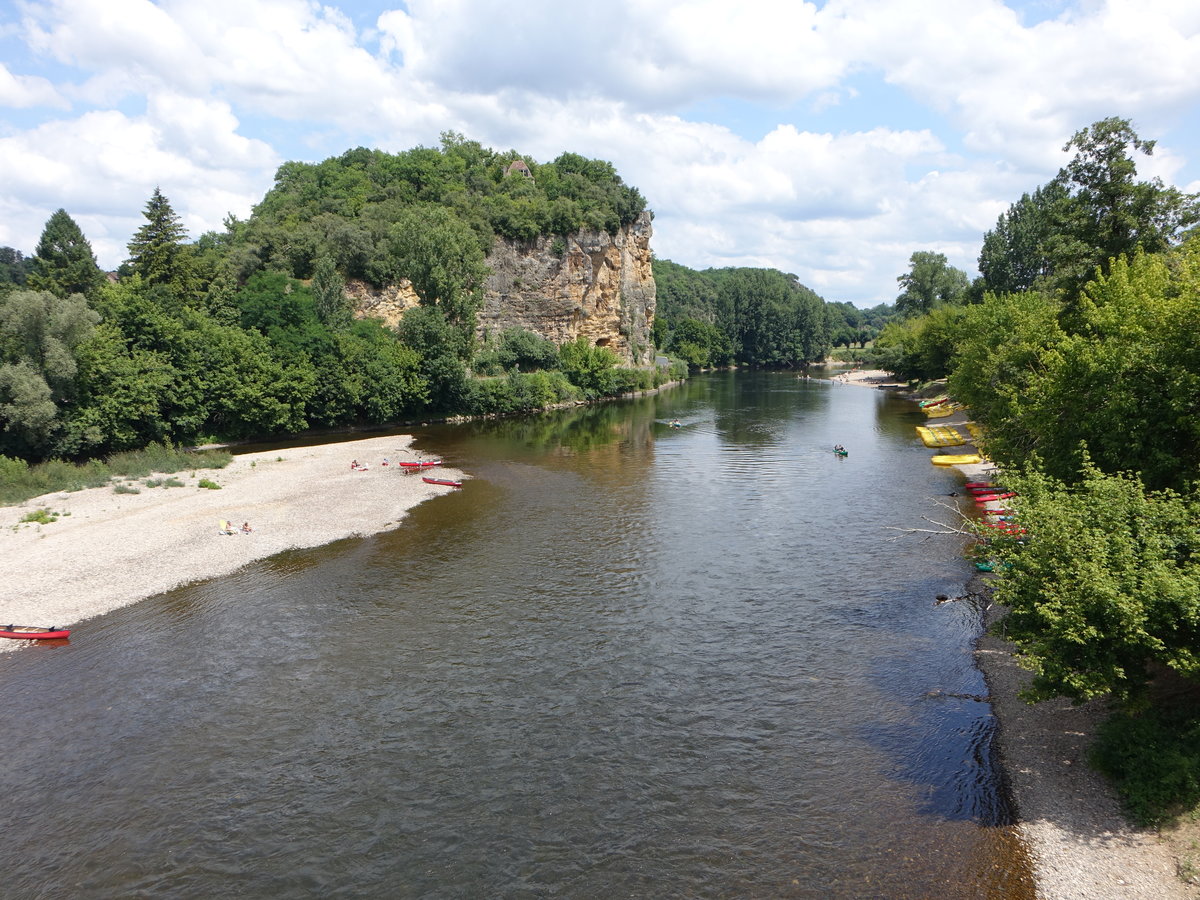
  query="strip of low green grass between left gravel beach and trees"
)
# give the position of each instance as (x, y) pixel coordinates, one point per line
(21, 482)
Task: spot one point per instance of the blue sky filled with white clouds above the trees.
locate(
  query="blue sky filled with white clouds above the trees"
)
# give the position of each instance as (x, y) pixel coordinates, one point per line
(829, 140)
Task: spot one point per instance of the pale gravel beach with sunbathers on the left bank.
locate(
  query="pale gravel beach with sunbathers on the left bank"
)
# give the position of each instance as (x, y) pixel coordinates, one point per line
(109, 550)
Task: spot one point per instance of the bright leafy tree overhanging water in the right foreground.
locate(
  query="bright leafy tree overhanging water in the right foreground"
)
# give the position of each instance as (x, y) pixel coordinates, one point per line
(1107, 584)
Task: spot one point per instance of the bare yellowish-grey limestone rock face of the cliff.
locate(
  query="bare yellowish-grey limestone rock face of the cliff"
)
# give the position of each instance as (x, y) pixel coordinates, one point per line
(591, 284)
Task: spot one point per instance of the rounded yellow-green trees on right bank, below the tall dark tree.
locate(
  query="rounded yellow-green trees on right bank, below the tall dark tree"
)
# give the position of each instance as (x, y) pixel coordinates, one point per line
(1124, 383)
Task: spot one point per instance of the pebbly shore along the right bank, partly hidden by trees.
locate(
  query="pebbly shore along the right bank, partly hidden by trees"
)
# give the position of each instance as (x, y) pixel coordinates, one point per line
(1082, 847)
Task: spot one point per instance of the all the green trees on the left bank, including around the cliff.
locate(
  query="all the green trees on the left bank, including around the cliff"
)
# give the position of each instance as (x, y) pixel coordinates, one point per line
(249, 333)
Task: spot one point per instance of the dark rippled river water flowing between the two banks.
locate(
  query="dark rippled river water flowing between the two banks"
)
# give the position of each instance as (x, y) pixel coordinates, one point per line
(625, 662)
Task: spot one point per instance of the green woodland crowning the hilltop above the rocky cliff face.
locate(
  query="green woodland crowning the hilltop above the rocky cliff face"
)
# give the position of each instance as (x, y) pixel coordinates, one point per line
(346, 207)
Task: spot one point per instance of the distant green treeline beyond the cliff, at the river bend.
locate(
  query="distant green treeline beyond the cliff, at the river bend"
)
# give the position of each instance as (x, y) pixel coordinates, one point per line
(752, 317)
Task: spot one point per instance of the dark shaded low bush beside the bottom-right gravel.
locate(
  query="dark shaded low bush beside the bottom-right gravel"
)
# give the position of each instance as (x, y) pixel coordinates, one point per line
(1154, 759)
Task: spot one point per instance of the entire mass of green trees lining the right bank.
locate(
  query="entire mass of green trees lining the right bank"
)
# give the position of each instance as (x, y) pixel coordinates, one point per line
(1077, 351)
